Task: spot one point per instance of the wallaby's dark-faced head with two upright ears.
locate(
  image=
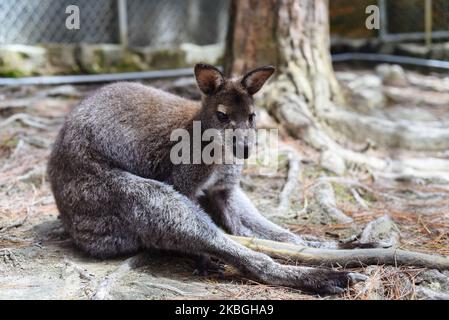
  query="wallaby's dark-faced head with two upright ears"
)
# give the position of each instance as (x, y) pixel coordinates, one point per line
(228, 104)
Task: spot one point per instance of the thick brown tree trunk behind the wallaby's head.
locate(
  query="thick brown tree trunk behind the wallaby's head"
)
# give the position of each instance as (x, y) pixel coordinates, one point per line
(294, 36)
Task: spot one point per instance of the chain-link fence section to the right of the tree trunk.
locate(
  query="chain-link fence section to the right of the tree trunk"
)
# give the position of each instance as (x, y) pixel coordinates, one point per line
(399, 19)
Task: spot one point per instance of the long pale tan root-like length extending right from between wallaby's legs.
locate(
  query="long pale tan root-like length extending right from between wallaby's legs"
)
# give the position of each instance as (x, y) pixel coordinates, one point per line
(344, 258)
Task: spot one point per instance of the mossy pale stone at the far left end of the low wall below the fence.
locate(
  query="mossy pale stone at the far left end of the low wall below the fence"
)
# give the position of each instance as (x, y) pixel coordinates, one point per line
(21, 60)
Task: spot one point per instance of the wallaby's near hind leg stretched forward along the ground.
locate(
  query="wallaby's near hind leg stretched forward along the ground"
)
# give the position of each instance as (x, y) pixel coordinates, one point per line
(165, 219)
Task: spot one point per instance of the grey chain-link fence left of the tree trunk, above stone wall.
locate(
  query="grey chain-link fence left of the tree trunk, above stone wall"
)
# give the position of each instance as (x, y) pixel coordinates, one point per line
(149, 22)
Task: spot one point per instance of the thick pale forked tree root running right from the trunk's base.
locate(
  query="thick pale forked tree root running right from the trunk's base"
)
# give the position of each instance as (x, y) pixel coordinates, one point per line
(319, 123)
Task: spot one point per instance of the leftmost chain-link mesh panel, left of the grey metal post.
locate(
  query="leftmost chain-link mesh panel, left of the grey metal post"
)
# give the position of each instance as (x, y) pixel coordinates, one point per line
(43, 21)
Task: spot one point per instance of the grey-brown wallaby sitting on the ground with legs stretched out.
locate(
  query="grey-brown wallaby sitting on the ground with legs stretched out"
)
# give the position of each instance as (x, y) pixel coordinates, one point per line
(118, 192)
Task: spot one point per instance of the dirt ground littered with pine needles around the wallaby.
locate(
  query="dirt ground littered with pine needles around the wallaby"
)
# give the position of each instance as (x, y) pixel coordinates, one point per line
(39, 261)
